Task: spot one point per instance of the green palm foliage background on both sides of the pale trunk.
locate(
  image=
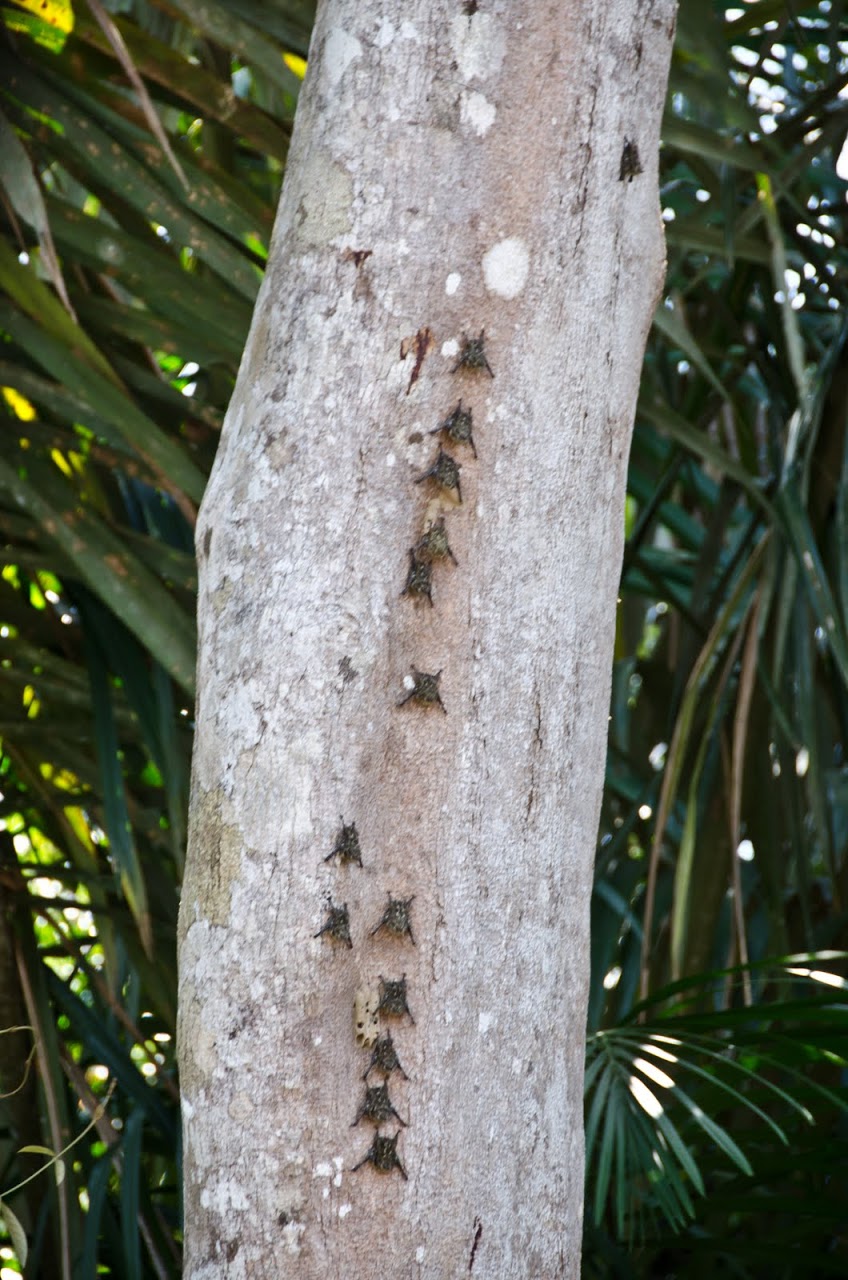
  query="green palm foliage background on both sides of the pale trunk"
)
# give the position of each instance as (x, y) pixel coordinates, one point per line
(143, 147)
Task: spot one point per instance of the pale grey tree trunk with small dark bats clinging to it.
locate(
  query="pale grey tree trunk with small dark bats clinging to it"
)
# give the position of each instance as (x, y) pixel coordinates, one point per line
(459, 172)
